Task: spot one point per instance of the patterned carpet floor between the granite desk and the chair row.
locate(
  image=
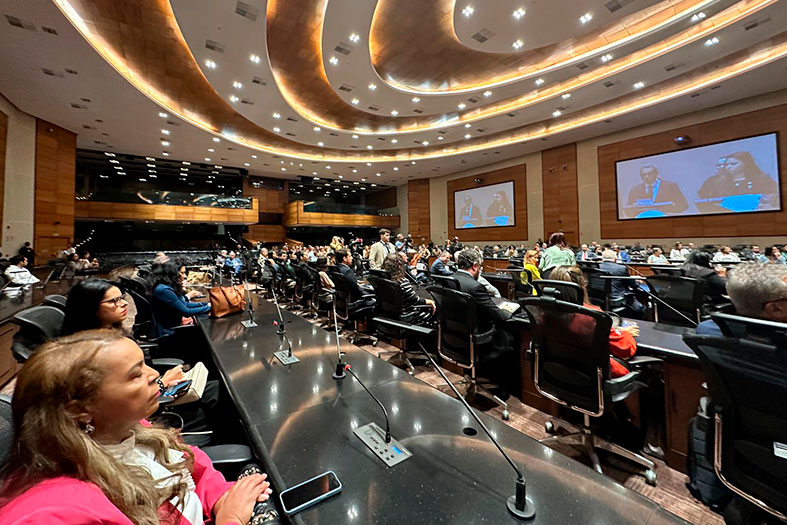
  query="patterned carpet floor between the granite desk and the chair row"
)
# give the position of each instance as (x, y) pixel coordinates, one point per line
(670, 493)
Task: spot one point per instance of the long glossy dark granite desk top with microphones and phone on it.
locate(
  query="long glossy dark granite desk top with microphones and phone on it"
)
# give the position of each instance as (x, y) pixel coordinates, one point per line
(301, 421)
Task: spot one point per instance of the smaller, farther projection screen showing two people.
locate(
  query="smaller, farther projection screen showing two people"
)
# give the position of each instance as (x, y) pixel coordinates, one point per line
(485, 207)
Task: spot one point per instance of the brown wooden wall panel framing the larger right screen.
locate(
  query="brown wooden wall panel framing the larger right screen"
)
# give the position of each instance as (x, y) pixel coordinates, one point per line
(733, 225)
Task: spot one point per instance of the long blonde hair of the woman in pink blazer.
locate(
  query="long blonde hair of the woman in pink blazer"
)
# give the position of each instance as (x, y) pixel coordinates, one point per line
(49, 443)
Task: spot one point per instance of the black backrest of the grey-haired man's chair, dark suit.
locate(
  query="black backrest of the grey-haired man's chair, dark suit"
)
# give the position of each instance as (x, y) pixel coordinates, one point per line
(458, 317)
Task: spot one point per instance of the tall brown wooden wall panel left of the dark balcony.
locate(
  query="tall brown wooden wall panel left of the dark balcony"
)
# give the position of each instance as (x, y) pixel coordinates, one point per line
(55, 168)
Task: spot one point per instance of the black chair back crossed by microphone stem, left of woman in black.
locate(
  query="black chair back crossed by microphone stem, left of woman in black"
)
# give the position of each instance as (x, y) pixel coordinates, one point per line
(684, 294)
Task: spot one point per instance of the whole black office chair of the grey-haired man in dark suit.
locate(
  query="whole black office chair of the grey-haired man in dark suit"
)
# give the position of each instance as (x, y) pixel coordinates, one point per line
(458, 339)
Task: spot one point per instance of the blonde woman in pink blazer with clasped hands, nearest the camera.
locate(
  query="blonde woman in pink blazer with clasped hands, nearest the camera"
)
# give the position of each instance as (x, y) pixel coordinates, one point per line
(83, 454)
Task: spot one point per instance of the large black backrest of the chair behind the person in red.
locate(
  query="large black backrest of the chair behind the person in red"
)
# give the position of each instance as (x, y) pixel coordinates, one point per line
(571, 351)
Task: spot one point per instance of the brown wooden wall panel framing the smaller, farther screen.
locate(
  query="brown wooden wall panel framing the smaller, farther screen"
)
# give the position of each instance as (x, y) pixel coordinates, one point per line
(518, 174)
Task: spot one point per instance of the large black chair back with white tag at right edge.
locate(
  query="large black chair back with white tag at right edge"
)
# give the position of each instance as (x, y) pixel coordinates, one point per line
(747, 383)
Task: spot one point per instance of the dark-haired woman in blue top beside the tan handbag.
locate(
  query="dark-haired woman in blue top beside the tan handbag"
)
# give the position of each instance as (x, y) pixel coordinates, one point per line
(171, 303)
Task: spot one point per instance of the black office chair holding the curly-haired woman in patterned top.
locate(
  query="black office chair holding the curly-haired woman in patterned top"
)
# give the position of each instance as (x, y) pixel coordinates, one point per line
(390, 305)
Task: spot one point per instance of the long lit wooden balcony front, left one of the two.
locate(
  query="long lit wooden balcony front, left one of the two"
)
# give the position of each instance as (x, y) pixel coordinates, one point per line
(164, 213)
